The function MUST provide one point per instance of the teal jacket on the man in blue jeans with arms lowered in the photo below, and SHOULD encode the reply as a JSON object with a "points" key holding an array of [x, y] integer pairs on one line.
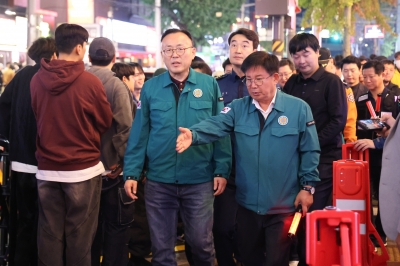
{"points": [[152, 139]]}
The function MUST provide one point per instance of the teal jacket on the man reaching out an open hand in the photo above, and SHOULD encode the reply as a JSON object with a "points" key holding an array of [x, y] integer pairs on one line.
{"points": [[272, 163]]}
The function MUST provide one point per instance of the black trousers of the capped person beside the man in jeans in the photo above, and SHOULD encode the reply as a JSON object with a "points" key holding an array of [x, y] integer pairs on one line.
{"points": [[112, 234]]}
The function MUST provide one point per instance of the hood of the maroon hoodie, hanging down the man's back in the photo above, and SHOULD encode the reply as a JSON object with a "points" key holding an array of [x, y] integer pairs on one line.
{"points": [[57, 75]]}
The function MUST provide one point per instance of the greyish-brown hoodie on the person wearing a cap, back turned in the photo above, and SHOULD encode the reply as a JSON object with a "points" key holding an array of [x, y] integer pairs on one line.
{"points": [[114, 140]]}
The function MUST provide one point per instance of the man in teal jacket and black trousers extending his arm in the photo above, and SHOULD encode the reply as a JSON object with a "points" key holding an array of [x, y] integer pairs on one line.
{"points": [[277, 154]]}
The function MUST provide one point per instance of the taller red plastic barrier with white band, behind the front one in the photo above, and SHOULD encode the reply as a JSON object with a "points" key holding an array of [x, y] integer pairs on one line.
{"points": [[351, 191]]}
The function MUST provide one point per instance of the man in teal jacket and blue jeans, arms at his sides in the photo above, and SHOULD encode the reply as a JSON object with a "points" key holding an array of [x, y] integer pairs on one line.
{"points": [[177, 182]]}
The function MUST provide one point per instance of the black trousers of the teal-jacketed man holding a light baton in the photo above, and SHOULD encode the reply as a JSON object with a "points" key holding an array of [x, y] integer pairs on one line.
{"points": [[263, 239]]}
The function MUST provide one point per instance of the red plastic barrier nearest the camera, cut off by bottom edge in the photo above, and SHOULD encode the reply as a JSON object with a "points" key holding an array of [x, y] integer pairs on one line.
{"points": [[333, 238]]}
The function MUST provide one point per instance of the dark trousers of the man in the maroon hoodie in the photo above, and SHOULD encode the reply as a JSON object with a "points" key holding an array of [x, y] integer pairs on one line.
{"points": [[68, 214]]}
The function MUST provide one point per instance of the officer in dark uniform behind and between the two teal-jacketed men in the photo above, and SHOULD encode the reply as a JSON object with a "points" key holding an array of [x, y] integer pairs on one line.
{"points": [[241, 43]]}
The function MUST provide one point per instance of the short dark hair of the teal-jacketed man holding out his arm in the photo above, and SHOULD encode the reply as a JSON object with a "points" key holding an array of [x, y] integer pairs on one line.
{"points": [[261, 59]]}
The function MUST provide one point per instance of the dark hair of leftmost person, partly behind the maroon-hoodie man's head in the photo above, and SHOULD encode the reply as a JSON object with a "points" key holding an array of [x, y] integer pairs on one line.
{"points": [[42, 48]]}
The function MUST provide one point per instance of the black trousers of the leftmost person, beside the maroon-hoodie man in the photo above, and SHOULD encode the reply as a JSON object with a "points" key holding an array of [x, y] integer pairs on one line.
{"points": [[24, 242]]}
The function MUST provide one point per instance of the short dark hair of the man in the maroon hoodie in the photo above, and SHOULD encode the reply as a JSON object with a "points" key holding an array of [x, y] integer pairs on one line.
{"points": [[68, 36]]}
